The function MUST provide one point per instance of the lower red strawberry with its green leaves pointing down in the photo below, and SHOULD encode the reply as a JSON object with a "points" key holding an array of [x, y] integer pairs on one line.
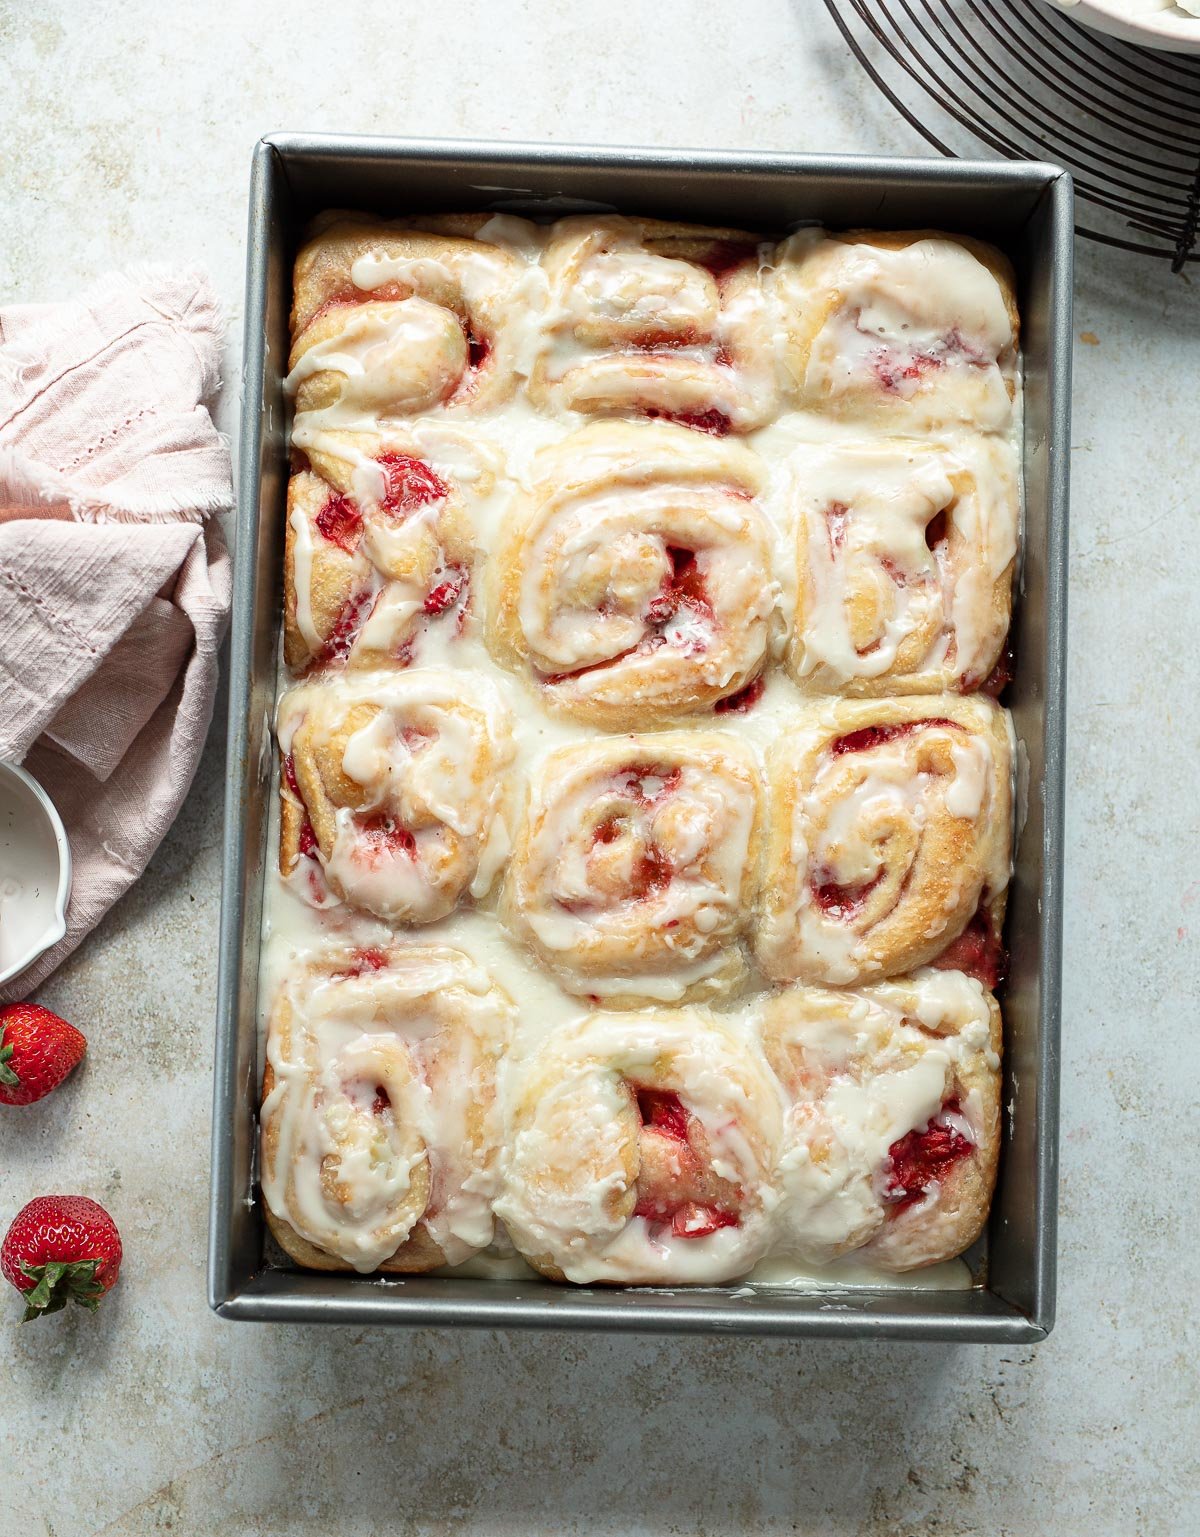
{"points": [[59, 1250]]}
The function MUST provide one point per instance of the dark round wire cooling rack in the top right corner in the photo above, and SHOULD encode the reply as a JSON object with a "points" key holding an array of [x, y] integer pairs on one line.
{"points": [[1032, 84]]}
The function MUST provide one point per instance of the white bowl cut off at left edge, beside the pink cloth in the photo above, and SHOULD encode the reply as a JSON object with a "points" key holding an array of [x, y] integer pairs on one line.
{"points": [[35, 872]]}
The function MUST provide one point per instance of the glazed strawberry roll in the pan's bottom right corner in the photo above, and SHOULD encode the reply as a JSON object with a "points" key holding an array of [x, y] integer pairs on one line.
{"points": [[892, 1141]]}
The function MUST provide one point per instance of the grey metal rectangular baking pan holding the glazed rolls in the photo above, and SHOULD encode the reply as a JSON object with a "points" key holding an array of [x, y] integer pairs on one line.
{"points": [[1026, 208]]}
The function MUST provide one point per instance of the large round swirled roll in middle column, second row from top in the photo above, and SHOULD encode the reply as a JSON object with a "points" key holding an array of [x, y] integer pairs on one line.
{"points": [[637, 582]]}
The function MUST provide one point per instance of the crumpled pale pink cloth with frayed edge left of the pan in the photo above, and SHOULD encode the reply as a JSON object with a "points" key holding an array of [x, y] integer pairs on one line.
{"points": [[114, 579]]}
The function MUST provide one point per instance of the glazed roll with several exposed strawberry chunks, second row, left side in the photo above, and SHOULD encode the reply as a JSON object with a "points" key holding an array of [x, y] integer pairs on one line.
{"points": [[379, 549]]}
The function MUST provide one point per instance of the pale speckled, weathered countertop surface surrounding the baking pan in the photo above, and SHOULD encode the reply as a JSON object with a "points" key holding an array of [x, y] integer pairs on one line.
{"points": [[127, 138]]}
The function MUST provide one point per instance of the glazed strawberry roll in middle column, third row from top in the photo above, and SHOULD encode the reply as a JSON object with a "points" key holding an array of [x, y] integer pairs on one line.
{"points": [[635, 866]]}
